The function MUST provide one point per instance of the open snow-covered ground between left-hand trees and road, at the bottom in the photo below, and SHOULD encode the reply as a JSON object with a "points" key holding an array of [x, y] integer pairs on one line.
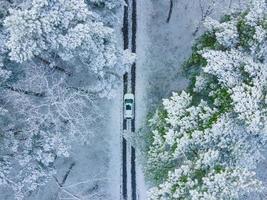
{"points": [[96, 170]]}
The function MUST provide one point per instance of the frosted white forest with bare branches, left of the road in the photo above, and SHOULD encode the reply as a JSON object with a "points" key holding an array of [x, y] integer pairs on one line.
{"points": [[59, 58]]}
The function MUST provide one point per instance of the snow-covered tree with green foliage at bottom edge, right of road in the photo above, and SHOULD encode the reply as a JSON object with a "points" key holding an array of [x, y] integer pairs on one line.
{"points": [[191, 182]]}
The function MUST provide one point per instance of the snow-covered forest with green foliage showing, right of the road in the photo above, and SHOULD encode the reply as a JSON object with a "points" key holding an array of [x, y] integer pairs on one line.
{"points": [[206, 141]]}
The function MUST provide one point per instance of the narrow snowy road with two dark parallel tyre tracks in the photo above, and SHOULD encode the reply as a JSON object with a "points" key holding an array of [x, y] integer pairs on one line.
{"points": [[128, 177]]}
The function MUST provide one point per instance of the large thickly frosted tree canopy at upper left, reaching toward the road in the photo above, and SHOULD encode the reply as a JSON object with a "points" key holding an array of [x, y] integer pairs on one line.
{"points": [[70, 31]]}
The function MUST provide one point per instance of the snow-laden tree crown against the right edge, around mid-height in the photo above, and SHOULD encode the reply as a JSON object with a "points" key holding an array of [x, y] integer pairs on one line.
{"points": [[245, 80]]}
